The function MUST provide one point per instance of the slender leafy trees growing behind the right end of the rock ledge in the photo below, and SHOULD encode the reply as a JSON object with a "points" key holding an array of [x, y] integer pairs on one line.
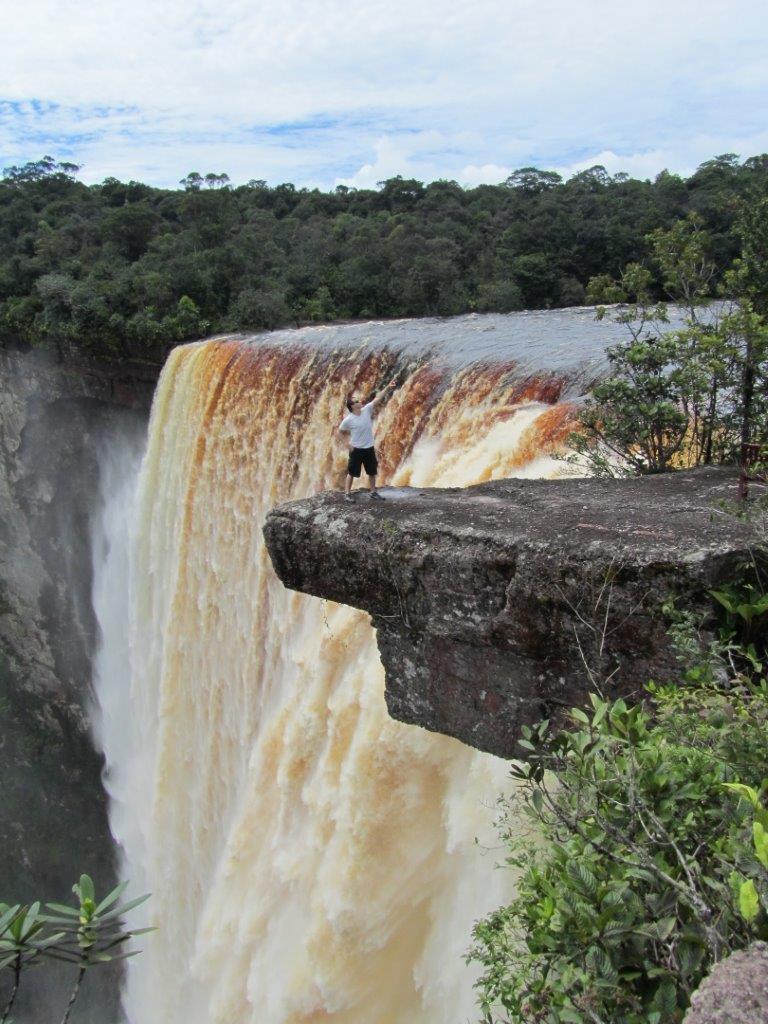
{"points": [[696, 395]]}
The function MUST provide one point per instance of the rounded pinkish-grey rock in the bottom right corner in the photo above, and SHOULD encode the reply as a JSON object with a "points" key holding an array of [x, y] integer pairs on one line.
{"points": [[736, 993]]}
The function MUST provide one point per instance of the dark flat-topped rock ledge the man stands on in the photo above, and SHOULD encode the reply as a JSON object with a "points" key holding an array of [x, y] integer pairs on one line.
{"points": [[494, 604]]}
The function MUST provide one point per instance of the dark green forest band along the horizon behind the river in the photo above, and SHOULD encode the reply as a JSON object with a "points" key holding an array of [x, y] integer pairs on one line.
{"points": [[130, 270]]}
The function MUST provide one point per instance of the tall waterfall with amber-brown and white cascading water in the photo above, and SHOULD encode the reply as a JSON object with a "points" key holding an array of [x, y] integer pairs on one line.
{"points": [[310, 859]]}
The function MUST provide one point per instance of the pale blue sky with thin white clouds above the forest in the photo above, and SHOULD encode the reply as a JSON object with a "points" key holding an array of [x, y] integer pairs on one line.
{"points": [[332, 92]]}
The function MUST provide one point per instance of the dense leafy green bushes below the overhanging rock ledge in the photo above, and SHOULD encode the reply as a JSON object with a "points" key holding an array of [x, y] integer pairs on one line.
{"points": [[641, 836]]}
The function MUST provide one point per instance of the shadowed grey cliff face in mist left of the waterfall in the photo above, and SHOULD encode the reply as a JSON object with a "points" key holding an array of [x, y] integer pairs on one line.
{"points": [[53, 806]]}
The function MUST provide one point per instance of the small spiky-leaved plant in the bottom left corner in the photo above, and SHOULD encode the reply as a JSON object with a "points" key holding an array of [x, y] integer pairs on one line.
{"points": [[87, 935]]}
